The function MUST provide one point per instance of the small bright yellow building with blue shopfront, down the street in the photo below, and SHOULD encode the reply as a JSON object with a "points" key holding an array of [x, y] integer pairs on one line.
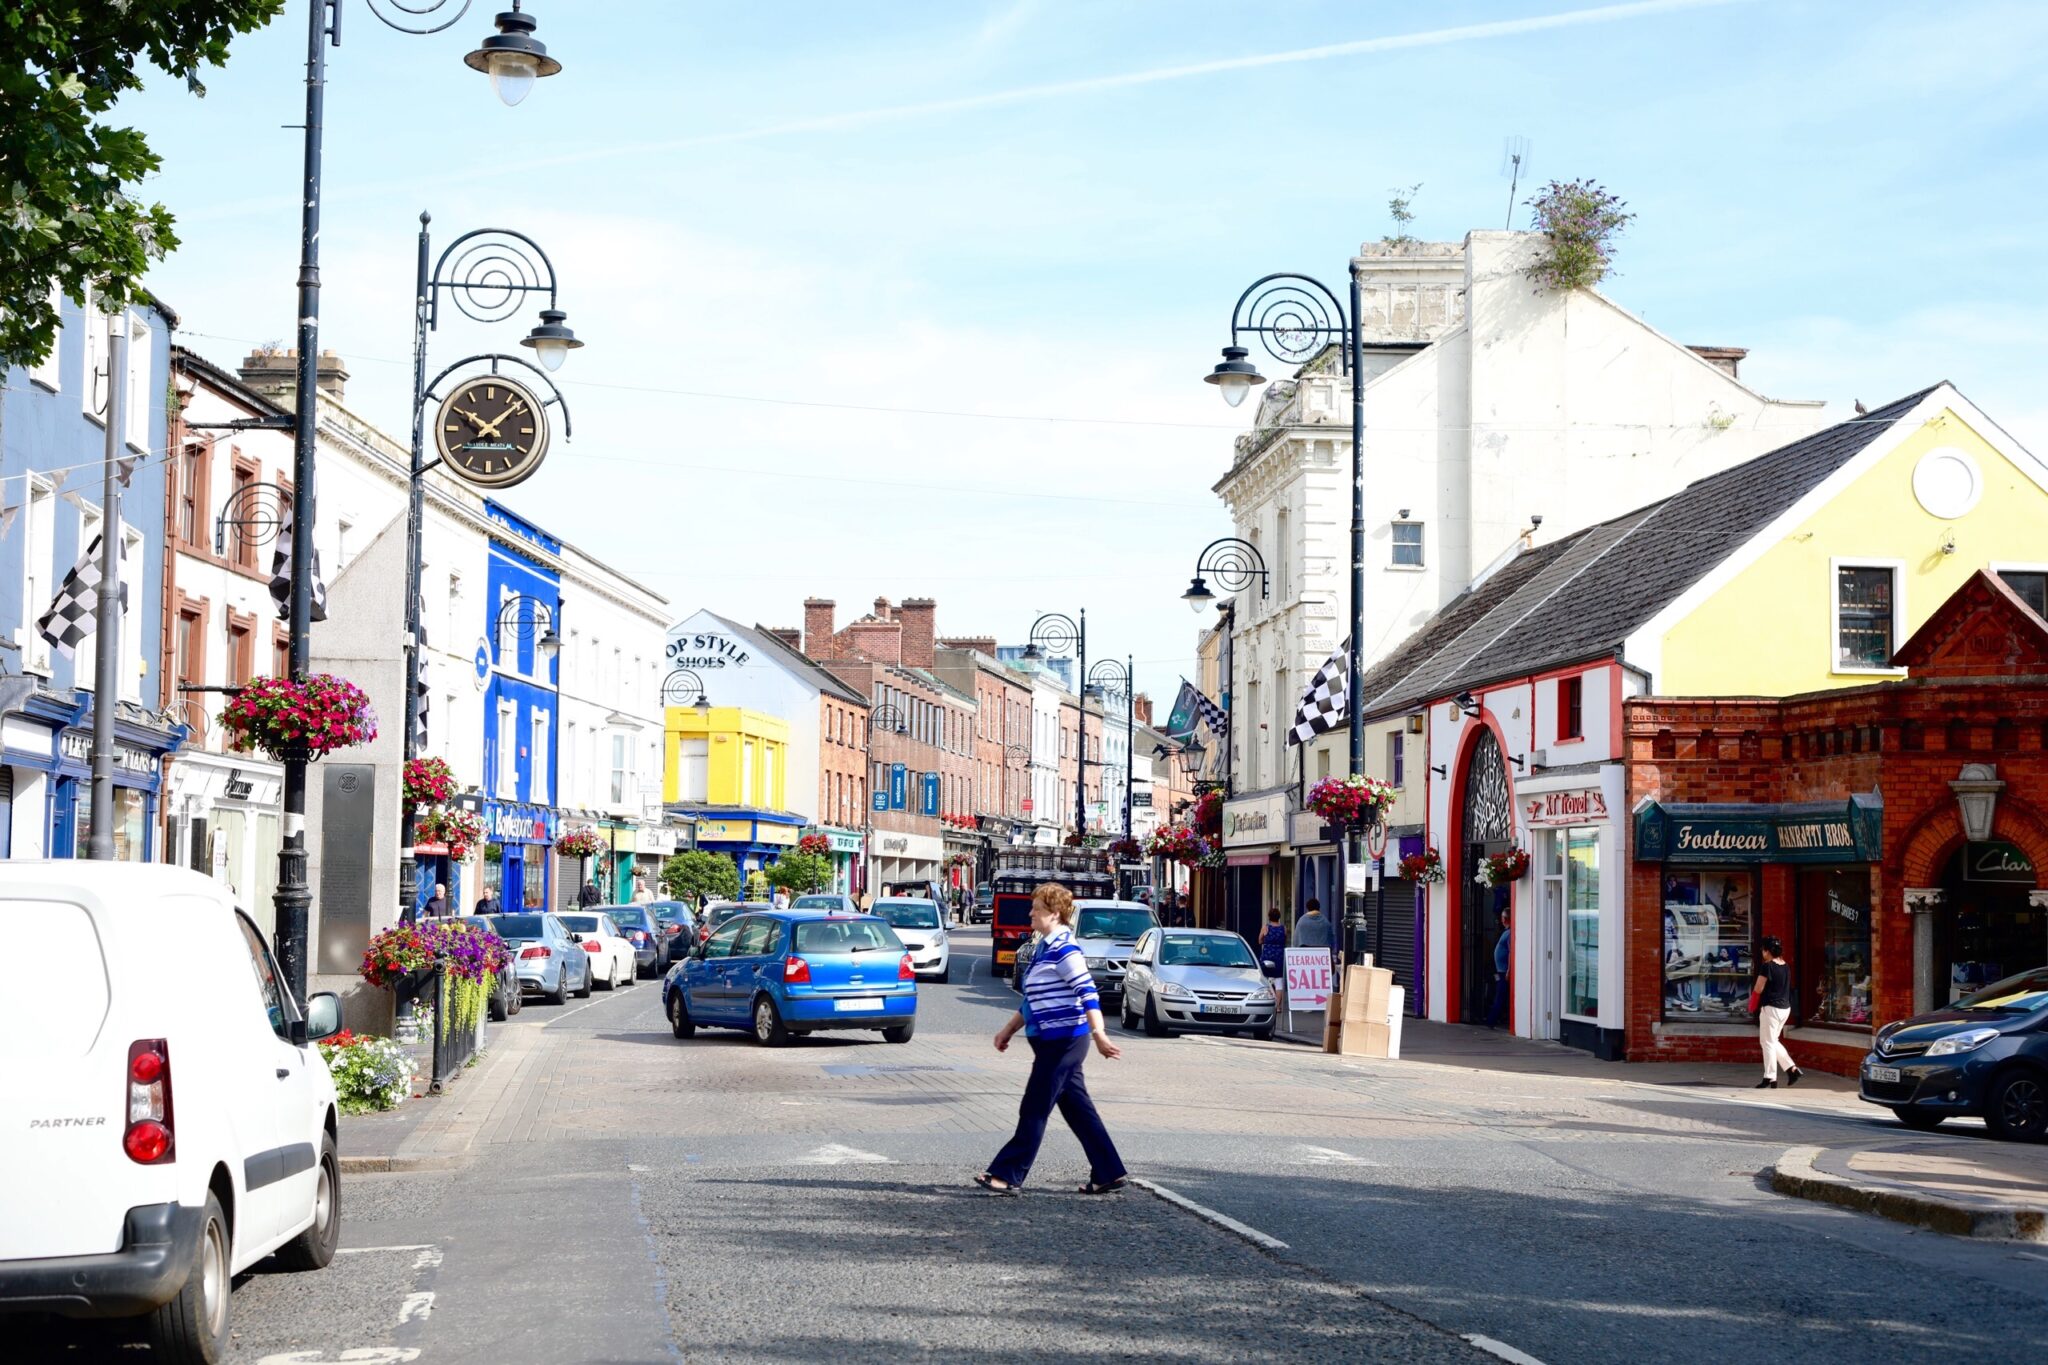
{"points": [[730, 768]]}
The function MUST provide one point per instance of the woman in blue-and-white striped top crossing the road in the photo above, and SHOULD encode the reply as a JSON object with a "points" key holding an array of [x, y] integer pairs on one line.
{"points": [[1062, 1016]]}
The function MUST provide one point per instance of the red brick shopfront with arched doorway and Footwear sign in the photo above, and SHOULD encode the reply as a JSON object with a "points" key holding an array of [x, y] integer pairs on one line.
{"points": [[1893, 838]]}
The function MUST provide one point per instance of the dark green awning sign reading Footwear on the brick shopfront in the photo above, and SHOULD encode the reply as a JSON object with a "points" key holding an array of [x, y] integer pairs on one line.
{"points": [[1805, 832]]}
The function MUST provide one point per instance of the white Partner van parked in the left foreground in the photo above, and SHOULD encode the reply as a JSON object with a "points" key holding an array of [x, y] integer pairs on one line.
{"points": [[169, 1120]]}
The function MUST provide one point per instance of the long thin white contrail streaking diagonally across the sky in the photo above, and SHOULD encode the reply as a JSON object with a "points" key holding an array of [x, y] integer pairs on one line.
{"points": [[1025, 95]]}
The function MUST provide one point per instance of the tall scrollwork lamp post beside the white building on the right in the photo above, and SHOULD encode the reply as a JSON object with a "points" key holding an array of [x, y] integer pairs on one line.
{"points": [[1295, 318]]}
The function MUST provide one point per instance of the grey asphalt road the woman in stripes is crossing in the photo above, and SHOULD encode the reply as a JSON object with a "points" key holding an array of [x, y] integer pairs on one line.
{"points": [[652, 1200]]}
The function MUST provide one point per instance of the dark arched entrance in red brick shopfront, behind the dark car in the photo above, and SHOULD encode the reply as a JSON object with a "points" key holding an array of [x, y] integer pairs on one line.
{"points": [[1988, 928]]}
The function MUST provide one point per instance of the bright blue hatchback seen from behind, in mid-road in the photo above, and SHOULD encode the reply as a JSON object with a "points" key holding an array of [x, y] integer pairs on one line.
{"points": [[785, 973]]}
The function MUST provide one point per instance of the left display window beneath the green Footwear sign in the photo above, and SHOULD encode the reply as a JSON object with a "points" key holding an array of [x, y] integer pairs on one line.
{"points": [[1709, 944]]}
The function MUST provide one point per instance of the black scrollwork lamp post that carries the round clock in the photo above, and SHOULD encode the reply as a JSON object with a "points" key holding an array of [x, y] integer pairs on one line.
{"points": [[486, 275]]}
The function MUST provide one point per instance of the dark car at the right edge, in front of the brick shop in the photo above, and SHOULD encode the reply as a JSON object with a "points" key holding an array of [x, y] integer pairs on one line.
{"points": [[1986, 1055]]}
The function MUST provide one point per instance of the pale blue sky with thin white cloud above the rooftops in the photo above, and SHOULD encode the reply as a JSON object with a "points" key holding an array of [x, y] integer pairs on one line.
{"points": [[1041, 212]]}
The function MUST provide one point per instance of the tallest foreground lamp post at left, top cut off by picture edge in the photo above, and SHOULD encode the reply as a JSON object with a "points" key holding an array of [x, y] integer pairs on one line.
{"points": [[323, 30]]}
